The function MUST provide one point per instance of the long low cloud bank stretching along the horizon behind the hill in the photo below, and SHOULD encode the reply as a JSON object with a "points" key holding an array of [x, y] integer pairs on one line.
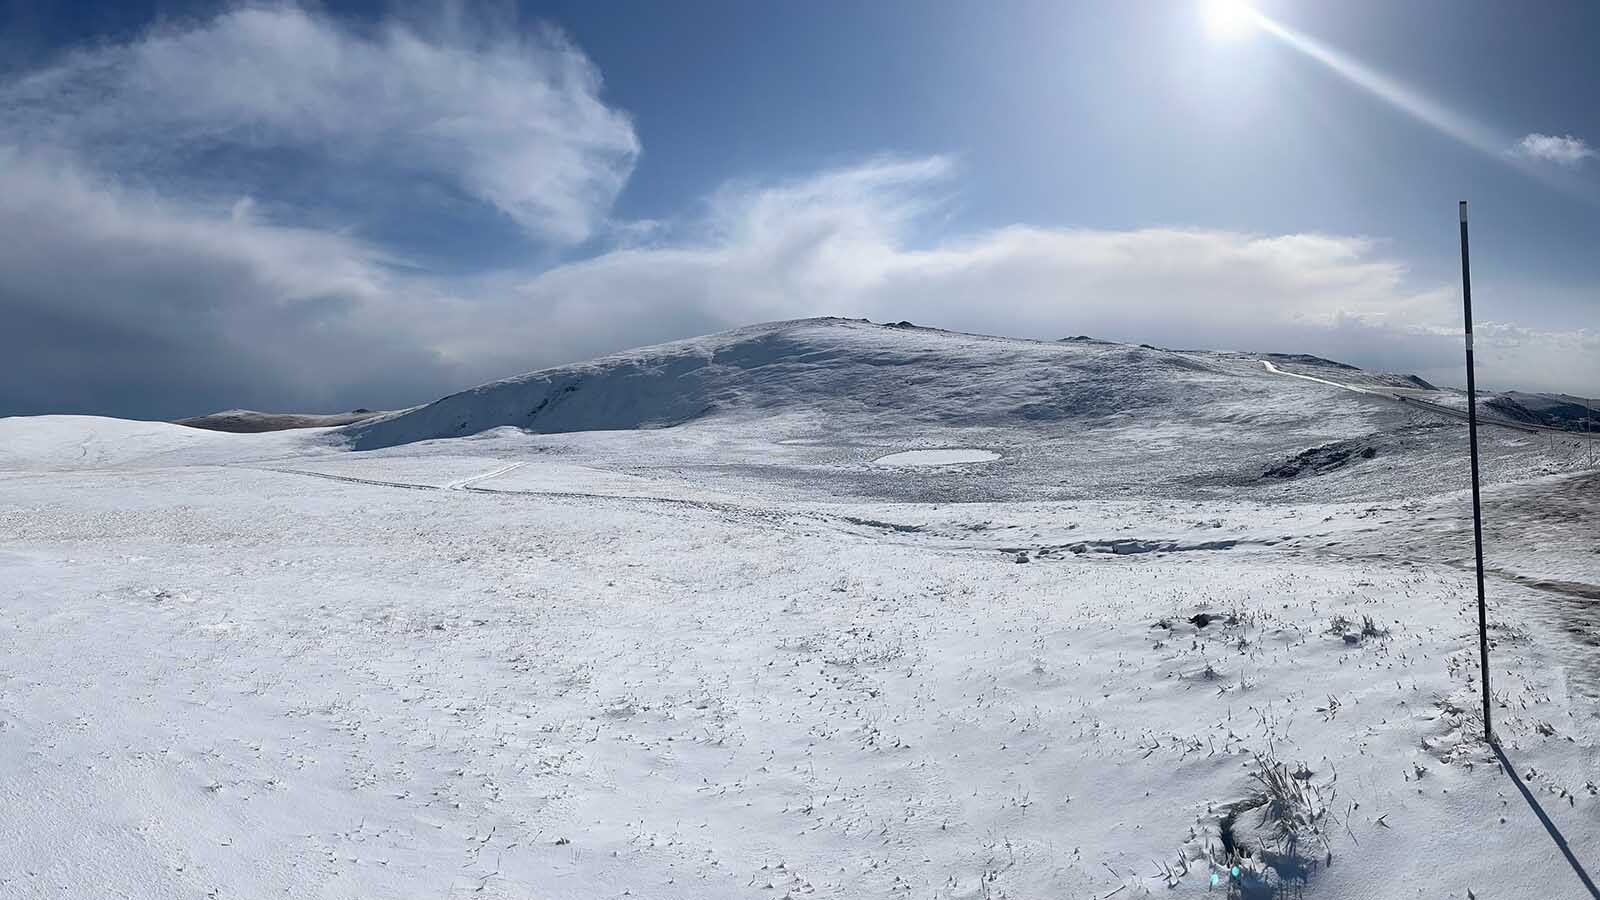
{"points": [[119, 300]]}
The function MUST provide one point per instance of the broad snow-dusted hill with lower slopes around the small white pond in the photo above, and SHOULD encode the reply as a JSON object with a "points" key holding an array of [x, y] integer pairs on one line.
{"points": [[815, 403]]}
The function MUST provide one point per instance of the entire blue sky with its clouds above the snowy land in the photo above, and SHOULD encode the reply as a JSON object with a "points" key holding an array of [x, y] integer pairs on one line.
{"points": [[322, 207]]}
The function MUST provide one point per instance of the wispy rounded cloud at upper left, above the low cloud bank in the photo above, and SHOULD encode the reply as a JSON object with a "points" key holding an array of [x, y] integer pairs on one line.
{"points": [[511, 119]]}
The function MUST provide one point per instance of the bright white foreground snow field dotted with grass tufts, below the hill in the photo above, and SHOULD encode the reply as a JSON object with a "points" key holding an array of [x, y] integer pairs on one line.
{"points": [[361, 691]]}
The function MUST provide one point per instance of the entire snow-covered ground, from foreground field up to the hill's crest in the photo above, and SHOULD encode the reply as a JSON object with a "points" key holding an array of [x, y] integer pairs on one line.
{"points": [[666, 625]]}
